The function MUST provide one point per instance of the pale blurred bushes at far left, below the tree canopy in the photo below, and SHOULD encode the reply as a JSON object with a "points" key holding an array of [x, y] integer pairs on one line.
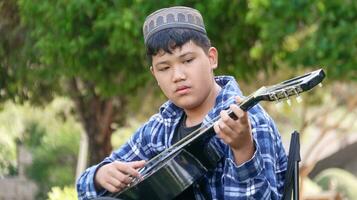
{"points": [[51, 135]]}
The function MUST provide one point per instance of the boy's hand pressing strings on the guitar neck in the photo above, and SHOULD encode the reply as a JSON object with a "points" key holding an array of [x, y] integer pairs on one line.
{"points": [[236, 133]]}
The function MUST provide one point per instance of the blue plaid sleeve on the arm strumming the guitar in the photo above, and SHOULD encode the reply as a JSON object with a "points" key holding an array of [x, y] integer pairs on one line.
{"points": [[137, 148]]}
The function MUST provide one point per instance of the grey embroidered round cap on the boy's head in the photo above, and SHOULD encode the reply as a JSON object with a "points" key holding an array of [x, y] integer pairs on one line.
{"points": [[173, 17]]}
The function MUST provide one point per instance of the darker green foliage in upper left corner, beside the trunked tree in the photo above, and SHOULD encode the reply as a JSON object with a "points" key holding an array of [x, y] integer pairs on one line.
{"points": [[20, 79]]}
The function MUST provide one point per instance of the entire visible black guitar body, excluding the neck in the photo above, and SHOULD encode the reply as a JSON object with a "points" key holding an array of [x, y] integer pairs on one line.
{"points": [[173, 173]]}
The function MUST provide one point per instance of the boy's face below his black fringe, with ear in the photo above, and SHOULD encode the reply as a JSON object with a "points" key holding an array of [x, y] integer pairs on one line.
{"points": [[186, 75]]}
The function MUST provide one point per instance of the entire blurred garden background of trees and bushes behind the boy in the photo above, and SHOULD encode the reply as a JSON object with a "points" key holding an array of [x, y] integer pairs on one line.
{"points": [[75, 84]]}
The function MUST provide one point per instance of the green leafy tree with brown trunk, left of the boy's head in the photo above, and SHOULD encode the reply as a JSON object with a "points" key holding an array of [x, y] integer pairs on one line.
{"points": [[92, 50]]}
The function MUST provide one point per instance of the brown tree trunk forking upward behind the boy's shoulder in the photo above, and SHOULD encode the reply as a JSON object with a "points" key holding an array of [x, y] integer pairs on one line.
{"points": [[96, 115]]}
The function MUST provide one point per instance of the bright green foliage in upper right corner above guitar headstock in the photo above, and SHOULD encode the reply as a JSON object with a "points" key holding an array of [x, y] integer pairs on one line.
{"points": [[307, 33]]}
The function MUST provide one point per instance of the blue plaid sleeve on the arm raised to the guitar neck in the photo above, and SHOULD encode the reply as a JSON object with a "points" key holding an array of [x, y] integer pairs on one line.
{"points": [[261, 177]]}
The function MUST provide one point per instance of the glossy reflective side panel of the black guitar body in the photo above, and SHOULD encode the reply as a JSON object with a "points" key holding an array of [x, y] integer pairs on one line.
{"points": [[168, 180]]}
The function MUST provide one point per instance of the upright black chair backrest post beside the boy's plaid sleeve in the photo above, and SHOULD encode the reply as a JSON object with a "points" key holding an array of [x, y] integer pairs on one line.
{"points": [[292, 172]]}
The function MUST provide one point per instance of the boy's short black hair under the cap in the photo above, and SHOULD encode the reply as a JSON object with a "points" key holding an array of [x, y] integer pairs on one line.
{"points": [[169, 39]]}
